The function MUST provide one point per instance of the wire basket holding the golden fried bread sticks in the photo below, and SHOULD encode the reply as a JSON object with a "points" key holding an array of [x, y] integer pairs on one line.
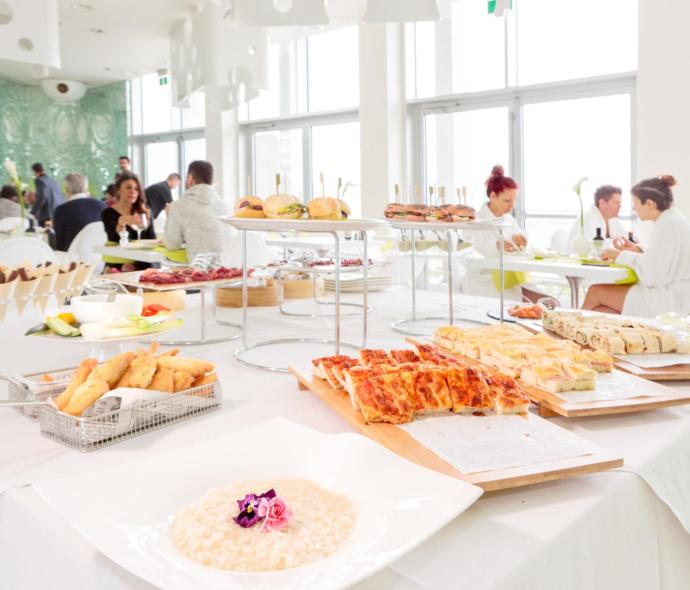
{"points": [[86, 434]]}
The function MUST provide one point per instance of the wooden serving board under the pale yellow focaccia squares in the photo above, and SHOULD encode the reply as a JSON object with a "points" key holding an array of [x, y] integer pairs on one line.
{"points": [[648, 396]]}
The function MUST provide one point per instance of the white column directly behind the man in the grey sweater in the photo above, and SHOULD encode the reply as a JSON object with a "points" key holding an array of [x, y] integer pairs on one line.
{"points": [[222, 134]]}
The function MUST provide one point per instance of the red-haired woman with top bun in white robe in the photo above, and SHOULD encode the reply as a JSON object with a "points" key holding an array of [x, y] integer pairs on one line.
{"points": [[502, 192]]}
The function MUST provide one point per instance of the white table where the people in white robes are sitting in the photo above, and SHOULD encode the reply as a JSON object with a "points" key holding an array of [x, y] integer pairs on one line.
{"points": [[573, 271]]}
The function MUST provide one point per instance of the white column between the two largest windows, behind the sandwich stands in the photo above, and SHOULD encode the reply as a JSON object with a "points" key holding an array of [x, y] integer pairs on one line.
{"points": [[382, 114]]}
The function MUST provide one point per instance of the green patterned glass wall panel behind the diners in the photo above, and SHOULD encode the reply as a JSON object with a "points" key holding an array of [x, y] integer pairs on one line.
{"points": [[87, 136]]}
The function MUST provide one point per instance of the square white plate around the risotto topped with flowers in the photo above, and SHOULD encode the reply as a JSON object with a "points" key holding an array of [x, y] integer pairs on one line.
{"points": [[126, 511]]}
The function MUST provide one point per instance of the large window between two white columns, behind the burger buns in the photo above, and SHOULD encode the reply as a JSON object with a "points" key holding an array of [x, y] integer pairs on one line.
{"points": [[306, 124]]}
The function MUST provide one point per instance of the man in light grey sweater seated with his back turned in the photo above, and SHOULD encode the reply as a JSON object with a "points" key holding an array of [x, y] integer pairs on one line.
{"points": [[193, 218]]}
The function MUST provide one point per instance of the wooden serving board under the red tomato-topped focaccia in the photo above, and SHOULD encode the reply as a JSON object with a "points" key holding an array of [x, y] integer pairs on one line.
{"points": [[402, 443]]}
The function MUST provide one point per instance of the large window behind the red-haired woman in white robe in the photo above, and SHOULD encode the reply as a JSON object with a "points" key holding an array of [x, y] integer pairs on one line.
{"points": [[545, 91]]}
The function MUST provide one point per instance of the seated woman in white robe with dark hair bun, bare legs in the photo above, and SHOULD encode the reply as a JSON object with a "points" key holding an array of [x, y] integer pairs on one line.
{"points": [[663, 268]]}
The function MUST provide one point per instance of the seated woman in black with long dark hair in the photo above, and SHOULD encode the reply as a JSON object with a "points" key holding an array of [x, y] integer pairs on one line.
{"points": [[128, 212]]}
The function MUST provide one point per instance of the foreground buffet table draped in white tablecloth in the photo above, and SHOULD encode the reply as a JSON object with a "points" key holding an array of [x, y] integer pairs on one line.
{"points": [[606, 530]]}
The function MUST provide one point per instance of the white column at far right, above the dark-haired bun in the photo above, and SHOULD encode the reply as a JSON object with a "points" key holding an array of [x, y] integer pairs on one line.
{"points": [[663, 94]]}
